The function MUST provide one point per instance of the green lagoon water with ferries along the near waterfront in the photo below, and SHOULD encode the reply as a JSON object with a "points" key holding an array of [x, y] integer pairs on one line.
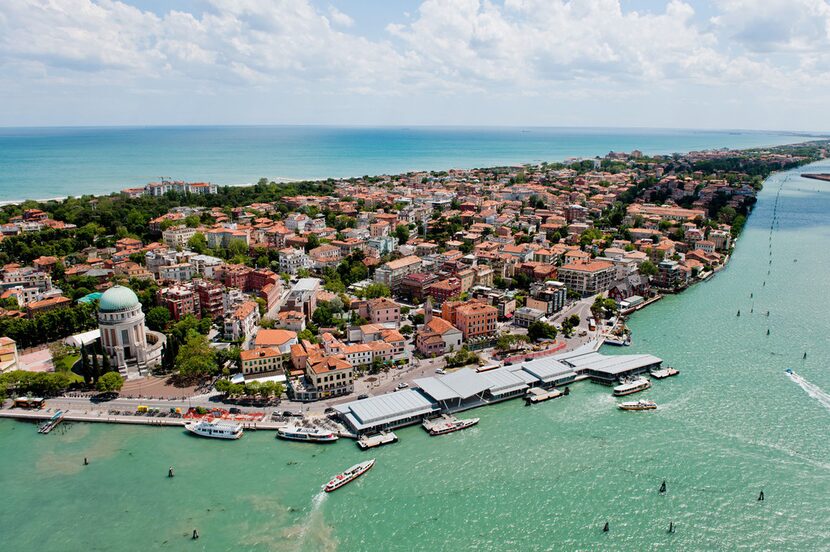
{"points": [[546, 477]]}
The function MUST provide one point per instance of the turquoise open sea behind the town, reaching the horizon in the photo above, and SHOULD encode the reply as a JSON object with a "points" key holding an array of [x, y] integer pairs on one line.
{"points": [[55, 162]]}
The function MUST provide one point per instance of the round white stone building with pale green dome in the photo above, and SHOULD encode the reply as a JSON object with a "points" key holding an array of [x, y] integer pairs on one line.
{"points": [[131, 347]]}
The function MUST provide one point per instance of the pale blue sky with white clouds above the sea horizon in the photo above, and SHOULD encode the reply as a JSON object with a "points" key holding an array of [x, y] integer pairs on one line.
{"points": [[715, 64]]}
